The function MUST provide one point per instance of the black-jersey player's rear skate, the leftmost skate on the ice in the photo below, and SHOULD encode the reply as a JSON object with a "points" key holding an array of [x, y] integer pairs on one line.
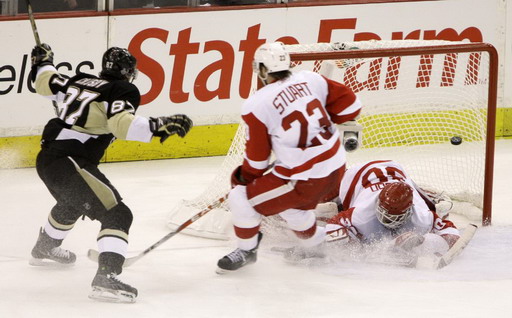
{"points": [[47, 252]]}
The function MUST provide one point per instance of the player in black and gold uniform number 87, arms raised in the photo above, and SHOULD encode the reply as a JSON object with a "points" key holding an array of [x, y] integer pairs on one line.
{"points": [[91, 112]]}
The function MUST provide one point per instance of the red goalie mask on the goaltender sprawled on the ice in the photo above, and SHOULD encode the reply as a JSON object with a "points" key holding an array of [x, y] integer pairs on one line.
{"points": [[394, 205]]}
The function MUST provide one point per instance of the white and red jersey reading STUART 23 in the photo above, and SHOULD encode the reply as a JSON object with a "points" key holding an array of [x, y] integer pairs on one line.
{"points": [[295, 119]]}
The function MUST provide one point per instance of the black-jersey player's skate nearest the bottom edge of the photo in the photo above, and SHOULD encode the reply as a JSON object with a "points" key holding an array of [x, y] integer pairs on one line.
{"points": [[106, 287]]}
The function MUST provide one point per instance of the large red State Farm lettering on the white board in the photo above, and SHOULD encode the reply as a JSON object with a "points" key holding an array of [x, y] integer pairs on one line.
{"points": [[215, 79]]}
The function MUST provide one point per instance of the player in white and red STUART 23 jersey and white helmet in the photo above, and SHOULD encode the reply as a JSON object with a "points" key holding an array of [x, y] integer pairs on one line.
{"points": [[293, 116]]}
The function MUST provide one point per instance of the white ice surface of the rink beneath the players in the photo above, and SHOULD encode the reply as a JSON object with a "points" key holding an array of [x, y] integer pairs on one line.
{"points": [[178, 279]]}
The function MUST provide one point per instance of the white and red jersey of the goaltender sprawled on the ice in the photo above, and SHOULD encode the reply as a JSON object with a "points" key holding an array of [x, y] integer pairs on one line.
{"points": [[359, 191]]}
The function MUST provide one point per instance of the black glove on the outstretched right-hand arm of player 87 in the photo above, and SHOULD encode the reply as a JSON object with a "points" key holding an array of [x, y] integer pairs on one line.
{"points": [[166, 126]]}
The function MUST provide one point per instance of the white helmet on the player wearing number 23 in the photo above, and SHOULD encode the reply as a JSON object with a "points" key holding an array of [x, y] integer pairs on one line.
{"points": [[273, 56]]}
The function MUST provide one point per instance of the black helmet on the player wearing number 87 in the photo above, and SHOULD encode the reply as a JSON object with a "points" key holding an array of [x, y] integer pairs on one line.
{"points": [[119, 64]]}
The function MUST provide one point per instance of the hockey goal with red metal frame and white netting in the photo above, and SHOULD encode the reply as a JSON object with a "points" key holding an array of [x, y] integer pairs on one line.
{"points": [[417, 96]]}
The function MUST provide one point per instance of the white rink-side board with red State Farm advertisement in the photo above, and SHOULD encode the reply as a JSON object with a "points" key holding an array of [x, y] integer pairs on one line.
{"points": [[199, 63]]}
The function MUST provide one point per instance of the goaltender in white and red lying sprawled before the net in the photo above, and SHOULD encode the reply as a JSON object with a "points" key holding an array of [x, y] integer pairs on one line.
{"points": [[380, 201]]}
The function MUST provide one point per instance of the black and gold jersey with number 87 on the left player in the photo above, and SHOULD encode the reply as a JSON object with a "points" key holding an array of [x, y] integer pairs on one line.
{"points": [[90, 113]]}
